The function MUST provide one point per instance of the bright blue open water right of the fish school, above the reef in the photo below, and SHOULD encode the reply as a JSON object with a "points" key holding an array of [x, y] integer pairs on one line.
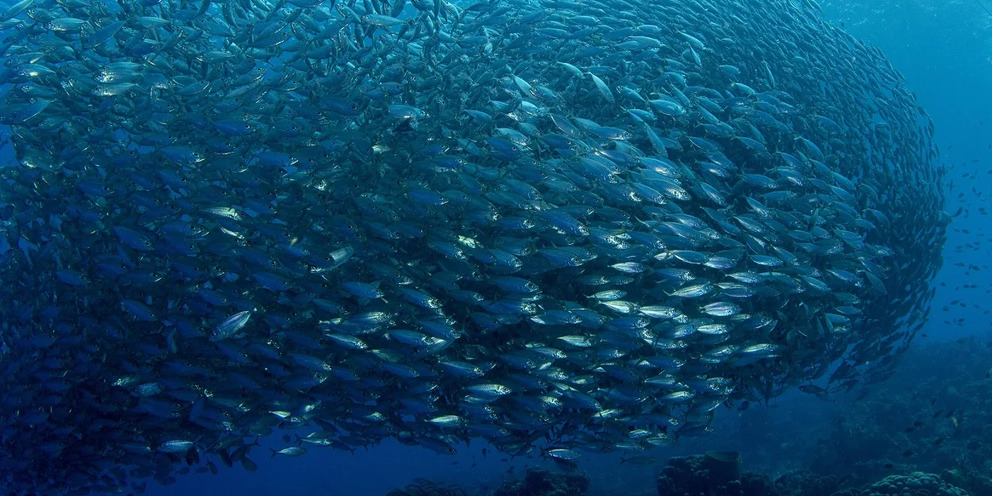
{"points": [[944, 49]]}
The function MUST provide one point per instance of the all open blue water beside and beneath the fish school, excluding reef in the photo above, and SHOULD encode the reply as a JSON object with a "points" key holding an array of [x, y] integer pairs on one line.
{"points": [[944, 49]]}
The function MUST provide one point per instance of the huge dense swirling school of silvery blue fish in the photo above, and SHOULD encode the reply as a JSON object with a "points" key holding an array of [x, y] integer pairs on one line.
{"points": [[558, 225]]}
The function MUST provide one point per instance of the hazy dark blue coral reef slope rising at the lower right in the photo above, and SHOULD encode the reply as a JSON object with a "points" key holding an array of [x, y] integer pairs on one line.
{"points": [[889, 430]]}
